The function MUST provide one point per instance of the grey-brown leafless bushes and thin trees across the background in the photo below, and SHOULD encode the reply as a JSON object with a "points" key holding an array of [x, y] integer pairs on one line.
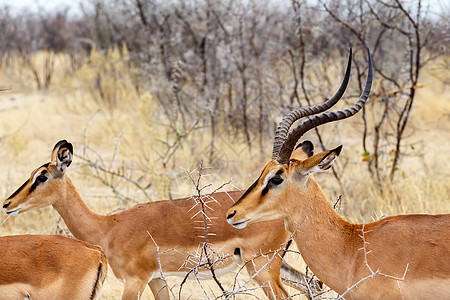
{"points": [[236, 65]]}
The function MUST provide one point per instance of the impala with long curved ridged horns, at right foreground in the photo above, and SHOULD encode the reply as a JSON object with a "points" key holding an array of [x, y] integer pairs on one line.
{"points": [[398, 257]]}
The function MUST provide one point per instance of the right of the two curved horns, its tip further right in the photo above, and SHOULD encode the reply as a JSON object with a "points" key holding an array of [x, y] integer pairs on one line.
{"points": [[302, 128]]}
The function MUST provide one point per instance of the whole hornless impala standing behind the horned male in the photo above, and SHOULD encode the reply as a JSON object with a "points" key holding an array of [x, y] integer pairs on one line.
{"points": [[163, 233]]}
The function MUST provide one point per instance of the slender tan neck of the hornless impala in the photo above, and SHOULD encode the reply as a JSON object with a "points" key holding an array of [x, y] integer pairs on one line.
{"points": [[82, 222]]}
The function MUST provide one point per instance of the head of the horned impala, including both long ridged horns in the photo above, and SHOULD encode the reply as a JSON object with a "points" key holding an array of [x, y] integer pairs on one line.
{"points": [[288, 176]]}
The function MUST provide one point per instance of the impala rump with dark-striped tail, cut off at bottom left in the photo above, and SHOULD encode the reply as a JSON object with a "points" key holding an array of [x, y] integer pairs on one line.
{"points": [[46, 267]]}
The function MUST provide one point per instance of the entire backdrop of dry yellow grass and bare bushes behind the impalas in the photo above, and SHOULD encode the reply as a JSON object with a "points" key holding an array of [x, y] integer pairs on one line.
{"points": [[148, 90]]}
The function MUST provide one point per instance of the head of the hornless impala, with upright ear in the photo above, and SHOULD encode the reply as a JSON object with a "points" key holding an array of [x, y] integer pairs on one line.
{"points": [[43, 187]]}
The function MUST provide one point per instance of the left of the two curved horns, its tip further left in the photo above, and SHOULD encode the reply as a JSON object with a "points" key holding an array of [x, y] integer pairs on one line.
{"points": [[291, 117]]}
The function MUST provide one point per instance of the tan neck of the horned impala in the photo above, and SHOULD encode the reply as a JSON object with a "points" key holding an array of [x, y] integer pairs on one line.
{"points": [[322, 236]]}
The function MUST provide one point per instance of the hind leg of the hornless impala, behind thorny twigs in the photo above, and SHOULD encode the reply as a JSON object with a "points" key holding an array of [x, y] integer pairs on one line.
{"points": [[268, 276]]}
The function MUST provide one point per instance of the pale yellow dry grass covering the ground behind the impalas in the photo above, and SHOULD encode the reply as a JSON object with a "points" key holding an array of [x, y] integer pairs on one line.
{"points": [[32, 122]]}
